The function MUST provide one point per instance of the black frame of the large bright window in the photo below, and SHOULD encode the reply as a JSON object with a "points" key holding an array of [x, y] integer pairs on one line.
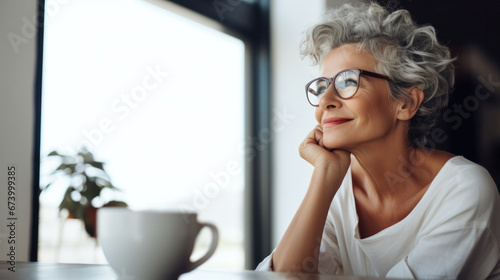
{"points": [[249, 19]]}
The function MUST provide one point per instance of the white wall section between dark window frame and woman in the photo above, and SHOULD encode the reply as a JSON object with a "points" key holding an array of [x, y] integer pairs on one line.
{"points": [[289, 74]]}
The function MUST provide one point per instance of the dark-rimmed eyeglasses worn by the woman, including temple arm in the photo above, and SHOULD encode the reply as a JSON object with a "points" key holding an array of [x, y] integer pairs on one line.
{"points": [[345, 85]]}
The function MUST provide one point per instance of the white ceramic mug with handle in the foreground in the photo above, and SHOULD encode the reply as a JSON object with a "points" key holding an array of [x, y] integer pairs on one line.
{"points": [[150, 244]]}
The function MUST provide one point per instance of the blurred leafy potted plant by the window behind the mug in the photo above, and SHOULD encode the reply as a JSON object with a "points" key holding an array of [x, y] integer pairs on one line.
{"points": [[85, 179]]}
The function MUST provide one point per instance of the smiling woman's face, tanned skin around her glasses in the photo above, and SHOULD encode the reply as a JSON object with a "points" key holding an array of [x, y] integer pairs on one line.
{"points": [[367, 117]]}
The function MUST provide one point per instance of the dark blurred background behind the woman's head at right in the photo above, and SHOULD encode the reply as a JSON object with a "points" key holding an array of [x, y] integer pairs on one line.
{"points": [[471, 123]]}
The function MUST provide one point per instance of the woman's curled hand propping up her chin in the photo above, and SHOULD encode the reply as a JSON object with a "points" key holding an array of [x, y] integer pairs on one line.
{"points": [[314, 151]]}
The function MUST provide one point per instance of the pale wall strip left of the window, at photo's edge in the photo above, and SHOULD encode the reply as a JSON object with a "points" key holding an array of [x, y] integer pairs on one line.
{"points": [[17, 76]]}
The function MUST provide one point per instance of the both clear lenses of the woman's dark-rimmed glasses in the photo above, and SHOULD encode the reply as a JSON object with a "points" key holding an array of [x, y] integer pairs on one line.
{"points": [[345, 83]]}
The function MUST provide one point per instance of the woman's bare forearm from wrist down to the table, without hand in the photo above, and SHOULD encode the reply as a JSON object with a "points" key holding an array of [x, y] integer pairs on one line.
{"points": [[302, 239]]}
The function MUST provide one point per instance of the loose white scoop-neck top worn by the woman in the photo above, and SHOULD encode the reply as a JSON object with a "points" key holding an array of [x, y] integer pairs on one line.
{"points": [[452, 233]]}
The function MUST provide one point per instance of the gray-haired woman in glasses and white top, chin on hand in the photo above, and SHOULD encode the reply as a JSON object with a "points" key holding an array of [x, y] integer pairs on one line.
{"points": [[379, 203]]}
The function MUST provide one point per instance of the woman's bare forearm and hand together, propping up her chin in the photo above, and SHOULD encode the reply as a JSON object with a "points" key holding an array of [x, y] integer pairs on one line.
{"points": [[303, 236]]}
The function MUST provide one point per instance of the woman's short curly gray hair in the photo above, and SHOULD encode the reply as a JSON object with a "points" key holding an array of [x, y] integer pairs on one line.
{"points": [[409, 54]]}
